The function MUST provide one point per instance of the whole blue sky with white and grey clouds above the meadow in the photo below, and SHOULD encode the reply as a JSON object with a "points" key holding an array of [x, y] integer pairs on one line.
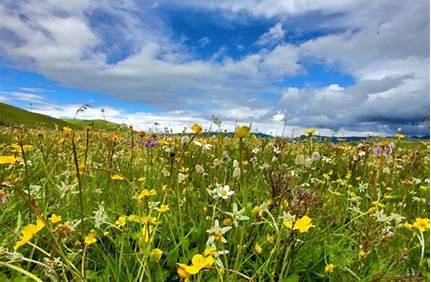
{"points": [[350, 67]]}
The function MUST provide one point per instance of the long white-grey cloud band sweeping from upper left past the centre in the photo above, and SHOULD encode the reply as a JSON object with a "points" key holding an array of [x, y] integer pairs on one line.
{"points": [[65, 47]]}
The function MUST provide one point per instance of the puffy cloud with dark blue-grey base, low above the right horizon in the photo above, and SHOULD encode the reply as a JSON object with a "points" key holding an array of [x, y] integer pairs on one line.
{"points": [[385, 104]]}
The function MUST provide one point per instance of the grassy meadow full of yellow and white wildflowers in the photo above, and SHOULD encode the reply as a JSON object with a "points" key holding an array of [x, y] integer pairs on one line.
{"points": [[95, 205]]}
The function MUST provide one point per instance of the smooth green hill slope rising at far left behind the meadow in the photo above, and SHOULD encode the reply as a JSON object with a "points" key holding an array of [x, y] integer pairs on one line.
{"points": [[10, 115]]}
